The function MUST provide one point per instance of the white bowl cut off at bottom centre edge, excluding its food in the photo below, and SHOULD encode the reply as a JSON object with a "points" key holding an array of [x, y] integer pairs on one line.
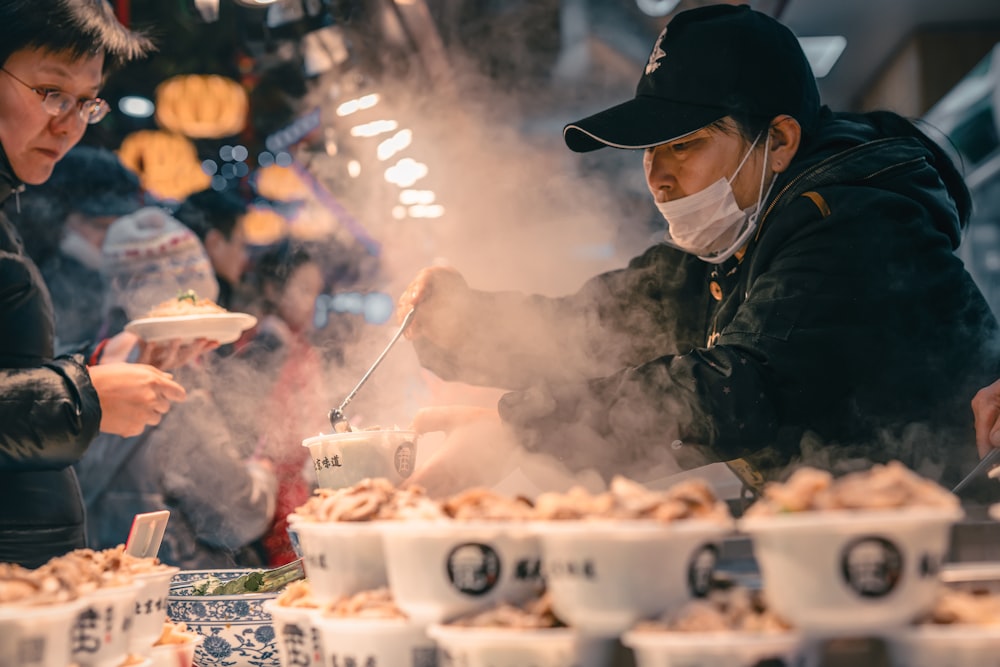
{"points": [[505, 647]]}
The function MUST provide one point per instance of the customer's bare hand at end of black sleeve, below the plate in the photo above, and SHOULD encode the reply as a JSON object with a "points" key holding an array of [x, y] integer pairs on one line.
{"points": [[133, 396]]}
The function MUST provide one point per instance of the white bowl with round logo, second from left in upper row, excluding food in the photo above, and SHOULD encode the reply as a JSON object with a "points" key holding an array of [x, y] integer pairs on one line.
{"points": [[442, 569]]}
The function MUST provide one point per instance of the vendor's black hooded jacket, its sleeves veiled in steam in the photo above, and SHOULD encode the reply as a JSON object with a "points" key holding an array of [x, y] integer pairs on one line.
{"points": [[848, 332]]}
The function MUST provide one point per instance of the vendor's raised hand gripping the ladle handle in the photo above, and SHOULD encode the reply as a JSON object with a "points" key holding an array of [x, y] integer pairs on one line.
{"points": [[436, 290]]}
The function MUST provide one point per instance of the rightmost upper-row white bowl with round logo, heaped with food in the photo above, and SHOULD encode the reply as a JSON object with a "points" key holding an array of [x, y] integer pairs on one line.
{"points": [[859, 553]]}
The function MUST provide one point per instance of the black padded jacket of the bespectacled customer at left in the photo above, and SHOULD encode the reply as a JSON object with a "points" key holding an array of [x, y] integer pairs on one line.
{"points": [[49, 412]]}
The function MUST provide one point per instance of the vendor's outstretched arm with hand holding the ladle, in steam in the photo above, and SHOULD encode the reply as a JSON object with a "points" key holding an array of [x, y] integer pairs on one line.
{"points": [[512, 340]]}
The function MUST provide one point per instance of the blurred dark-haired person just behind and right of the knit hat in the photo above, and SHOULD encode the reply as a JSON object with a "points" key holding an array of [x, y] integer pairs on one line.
{"points": [[216, 216]]}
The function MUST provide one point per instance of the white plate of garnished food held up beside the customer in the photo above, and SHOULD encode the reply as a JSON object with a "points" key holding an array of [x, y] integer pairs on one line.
{"points": [[188, 317]]}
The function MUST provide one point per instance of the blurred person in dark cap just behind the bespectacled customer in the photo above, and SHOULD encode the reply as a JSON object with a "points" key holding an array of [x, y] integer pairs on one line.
{"points": [[95, 189]]}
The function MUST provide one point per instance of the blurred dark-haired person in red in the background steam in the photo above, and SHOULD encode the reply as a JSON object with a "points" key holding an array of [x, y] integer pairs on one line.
{"points": [[281, 355]]}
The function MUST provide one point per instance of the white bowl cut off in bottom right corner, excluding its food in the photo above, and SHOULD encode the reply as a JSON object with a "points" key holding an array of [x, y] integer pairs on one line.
{"points": [[945, 646]]}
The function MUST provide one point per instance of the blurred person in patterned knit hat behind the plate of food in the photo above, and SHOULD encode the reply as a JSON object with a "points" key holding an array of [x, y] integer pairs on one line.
{"points": [[220, 501]]}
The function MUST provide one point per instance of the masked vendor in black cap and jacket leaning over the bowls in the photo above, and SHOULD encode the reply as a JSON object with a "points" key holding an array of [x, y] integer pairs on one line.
{"points": [[806, 304]]}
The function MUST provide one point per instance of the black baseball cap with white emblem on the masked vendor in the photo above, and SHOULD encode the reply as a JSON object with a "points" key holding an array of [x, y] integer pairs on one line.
{"points": [[707, 63]]}
